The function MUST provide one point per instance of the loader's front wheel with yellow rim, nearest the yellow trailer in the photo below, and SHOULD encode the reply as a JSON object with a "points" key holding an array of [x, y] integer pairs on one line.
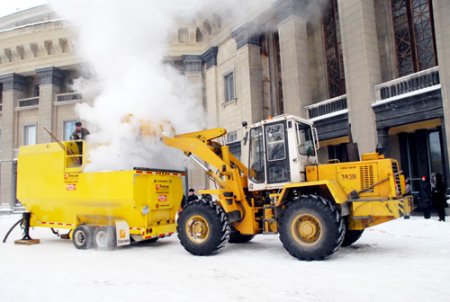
{"points": [[203, 228]]}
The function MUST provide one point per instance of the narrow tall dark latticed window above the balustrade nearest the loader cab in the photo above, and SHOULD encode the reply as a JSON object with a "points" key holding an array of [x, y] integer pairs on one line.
{"points": [[333, 50]]}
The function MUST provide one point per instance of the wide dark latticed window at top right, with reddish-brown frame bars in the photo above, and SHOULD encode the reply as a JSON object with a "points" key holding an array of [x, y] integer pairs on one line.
{"points": [[414, 36]]}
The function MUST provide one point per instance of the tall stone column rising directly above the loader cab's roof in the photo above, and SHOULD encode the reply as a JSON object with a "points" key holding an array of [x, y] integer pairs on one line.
{"points": [[294, 55]]}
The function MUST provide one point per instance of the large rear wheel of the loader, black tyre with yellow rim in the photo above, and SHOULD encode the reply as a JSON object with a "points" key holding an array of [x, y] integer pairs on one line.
{"points": [[311, 228]]}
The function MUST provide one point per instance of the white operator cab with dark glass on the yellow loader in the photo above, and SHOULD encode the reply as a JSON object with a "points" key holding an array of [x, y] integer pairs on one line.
{"points": [[279, 150]]}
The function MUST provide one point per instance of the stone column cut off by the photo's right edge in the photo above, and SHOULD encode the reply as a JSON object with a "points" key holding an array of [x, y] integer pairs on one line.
{"points": [[441, 11]]}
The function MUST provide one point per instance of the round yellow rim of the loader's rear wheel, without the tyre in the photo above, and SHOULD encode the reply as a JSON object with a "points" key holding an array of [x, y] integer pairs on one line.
{"points": [[306, 229]]}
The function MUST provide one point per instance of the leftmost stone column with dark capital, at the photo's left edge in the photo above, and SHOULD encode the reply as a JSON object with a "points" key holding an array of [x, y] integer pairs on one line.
{"points": [[13, 89]]}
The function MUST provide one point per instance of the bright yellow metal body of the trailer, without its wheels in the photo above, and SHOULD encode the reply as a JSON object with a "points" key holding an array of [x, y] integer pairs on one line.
{"points": [[66, 197]]}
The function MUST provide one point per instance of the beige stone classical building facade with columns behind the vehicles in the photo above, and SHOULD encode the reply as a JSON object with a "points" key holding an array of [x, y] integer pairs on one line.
{"points": [[375, 72]]}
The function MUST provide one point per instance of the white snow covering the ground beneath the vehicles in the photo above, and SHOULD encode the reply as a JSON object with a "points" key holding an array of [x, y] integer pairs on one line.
{"points": [[403, 260]]}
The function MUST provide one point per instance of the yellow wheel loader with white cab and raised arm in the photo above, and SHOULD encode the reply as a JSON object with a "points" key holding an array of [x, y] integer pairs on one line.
{"points": [[315, 208]]}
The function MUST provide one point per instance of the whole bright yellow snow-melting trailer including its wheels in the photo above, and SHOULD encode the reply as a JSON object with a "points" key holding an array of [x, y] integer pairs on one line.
{"points": [[100, 209]]}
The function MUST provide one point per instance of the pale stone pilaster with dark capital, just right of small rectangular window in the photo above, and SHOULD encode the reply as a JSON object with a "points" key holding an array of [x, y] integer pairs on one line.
{"points": [[249, 73]]}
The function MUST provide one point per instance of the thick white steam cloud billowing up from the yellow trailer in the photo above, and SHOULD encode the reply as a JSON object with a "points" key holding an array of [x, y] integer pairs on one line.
{"points": [[124, 44]]}
